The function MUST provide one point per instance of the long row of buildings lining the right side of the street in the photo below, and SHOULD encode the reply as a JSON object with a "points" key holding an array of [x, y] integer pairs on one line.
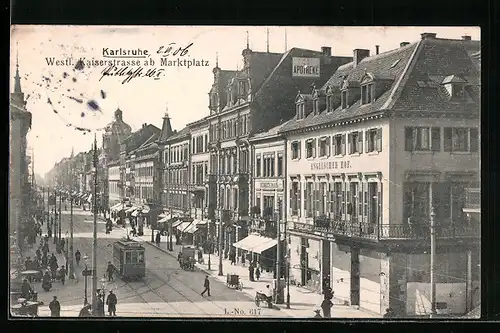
{"points": [[355, 155]]}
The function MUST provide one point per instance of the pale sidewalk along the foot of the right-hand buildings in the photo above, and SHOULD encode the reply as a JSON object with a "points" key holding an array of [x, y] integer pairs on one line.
{"points": [[302, 301]]}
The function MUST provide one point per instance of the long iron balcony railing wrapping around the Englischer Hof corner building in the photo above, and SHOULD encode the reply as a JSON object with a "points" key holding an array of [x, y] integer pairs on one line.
{"points": [[372, 231]]}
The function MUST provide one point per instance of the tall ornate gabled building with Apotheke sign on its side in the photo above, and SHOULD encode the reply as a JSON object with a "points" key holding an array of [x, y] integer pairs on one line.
{"points": [[244, 102]]}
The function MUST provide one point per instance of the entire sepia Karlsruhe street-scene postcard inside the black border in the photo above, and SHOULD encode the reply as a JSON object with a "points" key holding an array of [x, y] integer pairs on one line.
{"points": [[245, 172]]}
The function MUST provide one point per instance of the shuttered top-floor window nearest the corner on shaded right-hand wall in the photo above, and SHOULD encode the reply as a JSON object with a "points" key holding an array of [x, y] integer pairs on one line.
{"points": [[422, 138]]}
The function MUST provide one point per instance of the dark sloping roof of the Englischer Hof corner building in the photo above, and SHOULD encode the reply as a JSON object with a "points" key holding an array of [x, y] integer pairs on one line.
{"points": [[410, 73]]}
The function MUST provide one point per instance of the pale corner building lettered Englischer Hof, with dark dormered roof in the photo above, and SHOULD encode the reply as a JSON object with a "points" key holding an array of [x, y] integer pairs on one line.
{"points": [[388, 141]]}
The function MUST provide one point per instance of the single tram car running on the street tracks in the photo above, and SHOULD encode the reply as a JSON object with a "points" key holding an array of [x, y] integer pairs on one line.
{"points": [[129, 259]]}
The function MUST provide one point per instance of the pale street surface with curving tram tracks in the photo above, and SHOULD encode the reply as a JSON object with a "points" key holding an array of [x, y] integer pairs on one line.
{"points": [[167, 290]]}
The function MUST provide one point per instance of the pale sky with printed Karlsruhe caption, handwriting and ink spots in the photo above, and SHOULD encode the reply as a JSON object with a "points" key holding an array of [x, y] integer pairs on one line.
{"points": [[70, 103]]}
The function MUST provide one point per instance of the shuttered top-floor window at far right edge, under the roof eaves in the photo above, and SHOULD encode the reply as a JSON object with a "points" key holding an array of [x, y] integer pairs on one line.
{"points": [[461, 139]]}
